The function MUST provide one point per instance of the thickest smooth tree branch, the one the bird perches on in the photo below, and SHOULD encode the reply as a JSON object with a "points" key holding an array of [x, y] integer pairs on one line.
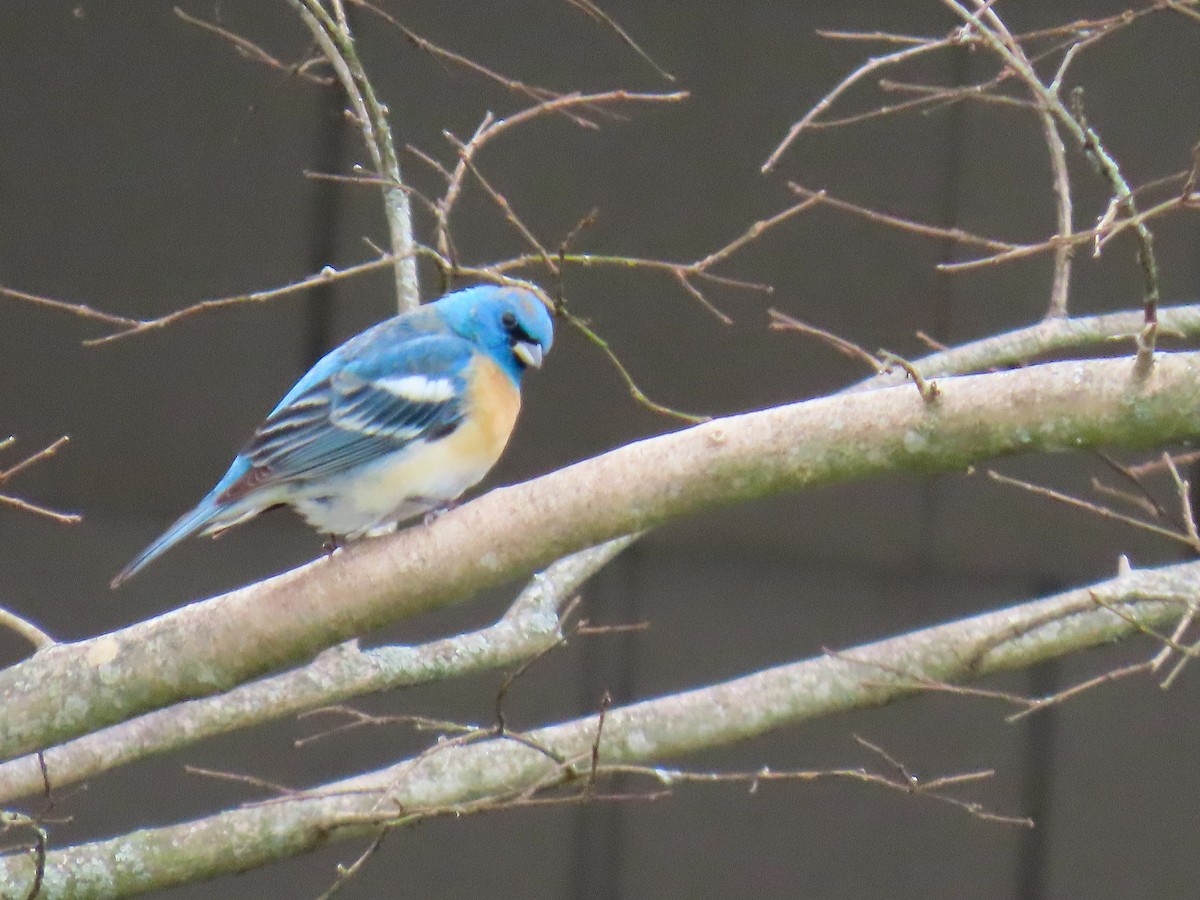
{"points": [[212, 646]]}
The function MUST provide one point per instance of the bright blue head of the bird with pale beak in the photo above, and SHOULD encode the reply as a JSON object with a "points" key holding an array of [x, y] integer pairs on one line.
{"points": [[512, 325]]}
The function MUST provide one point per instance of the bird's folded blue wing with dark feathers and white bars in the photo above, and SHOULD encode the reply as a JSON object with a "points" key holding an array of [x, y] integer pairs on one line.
{"points": [[359, 411]]}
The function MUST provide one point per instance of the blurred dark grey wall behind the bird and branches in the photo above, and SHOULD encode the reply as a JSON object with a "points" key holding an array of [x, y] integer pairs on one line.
{"points": [[145, 166]]}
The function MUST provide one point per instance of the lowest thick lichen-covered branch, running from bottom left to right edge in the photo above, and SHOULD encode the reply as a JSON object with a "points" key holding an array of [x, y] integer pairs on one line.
{"points": [[458, 778]]}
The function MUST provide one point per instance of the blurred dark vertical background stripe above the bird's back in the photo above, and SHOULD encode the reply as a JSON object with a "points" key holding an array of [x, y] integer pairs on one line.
{"points": [[323, 232]]}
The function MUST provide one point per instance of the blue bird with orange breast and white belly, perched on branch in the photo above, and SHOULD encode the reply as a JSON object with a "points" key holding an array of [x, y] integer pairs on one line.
{"points": [[398, 422]]}
